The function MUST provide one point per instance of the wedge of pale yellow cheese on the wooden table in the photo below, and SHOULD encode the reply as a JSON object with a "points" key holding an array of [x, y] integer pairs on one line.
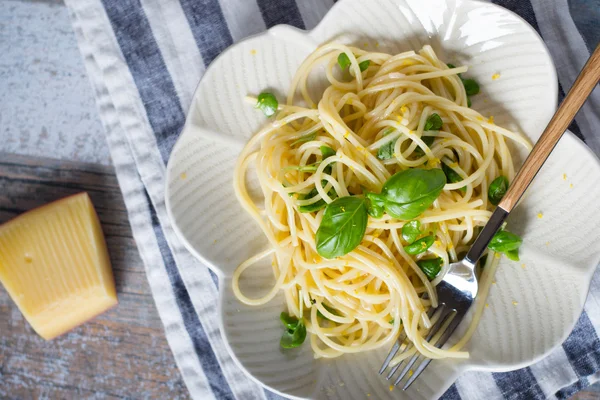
{"points": [[55, 266]]}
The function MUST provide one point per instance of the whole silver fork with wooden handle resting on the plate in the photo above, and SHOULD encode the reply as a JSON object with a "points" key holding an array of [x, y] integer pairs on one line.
{"points": [[456, 292]]}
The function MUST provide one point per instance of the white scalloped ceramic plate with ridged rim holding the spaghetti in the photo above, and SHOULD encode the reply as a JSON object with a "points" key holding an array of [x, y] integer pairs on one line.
{"points": [[560, 250]]}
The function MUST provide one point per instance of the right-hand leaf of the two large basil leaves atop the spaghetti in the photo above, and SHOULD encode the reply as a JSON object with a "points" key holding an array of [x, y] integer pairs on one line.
{"points": [[408, 193]]}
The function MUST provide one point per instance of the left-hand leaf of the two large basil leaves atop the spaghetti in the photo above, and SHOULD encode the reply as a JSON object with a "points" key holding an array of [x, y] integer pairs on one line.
{"points": [[342, 227]]}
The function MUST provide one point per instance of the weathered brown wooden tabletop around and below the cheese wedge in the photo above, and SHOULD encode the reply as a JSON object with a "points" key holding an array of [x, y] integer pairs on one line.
{"points": [[120, 354]]}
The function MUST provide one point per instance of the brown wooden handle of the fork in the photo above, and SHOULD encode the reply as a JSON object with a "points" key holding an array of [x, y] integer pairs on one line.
{"points": [[583, 86]]}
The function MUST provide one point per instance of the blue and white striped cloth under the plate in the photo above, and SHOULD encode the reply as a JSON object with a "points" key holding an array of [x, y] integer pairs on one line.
{"points": [[145, 57]]}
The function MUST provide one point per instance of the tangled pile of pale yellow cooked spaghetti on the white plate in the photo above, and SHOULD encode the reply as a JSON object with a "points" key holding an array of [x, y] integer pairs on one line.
{"points": [[365, 298]]}
